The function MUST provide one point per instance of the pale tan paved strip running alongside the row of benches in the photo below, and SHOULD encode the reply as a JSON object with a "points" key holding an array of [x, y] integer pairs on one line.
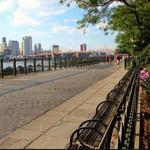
{"points": [[53, 128]]}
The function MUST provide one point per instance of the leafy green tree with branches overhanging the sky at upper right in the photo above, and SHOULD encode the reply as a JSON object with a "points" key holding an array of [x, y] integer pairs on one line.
{"points": [[130, 18]]}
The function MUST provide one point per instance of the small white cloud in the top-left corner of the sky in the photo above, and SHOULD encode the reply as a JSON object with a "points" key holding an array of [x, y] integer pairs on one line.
{"points": [[6, 5]]}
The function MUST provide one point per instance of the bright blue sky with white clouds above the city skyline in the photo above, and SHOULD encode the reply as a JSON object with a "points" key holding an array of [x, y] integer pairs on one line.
{"points": [[49, 23]]}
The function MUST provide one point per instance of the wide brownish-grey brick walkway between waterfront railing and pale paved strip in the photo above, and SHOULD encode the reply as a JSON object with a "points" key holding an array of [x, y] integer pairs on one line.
{"points": [[25, 98]]}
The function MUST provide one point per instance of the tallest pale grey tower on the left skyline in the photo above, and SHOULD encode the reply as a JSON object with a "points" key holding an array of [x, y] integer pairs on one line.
{"points": [[27, 45]]}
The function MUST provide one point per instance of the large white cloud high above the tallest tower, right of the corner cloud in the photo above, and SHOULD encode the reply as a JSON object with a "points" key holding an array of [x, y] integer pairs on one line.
{"points": [[35, 12]]}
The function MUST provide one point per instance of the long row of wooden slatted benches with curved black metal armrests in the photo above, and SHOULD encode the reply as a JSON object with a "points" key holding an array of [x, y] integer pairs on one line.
{"points": [[114, 117]]}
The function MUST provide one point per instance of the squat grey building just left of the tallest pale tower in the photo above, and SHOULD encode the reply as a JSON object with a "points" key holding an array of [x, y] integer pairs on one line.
{"points": [[14, 47]]}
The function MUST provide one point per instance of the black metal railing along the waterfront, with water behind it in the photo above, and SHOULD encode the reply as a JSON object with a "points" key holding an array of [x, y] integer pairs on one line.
{"points": [[25, 66]]}
